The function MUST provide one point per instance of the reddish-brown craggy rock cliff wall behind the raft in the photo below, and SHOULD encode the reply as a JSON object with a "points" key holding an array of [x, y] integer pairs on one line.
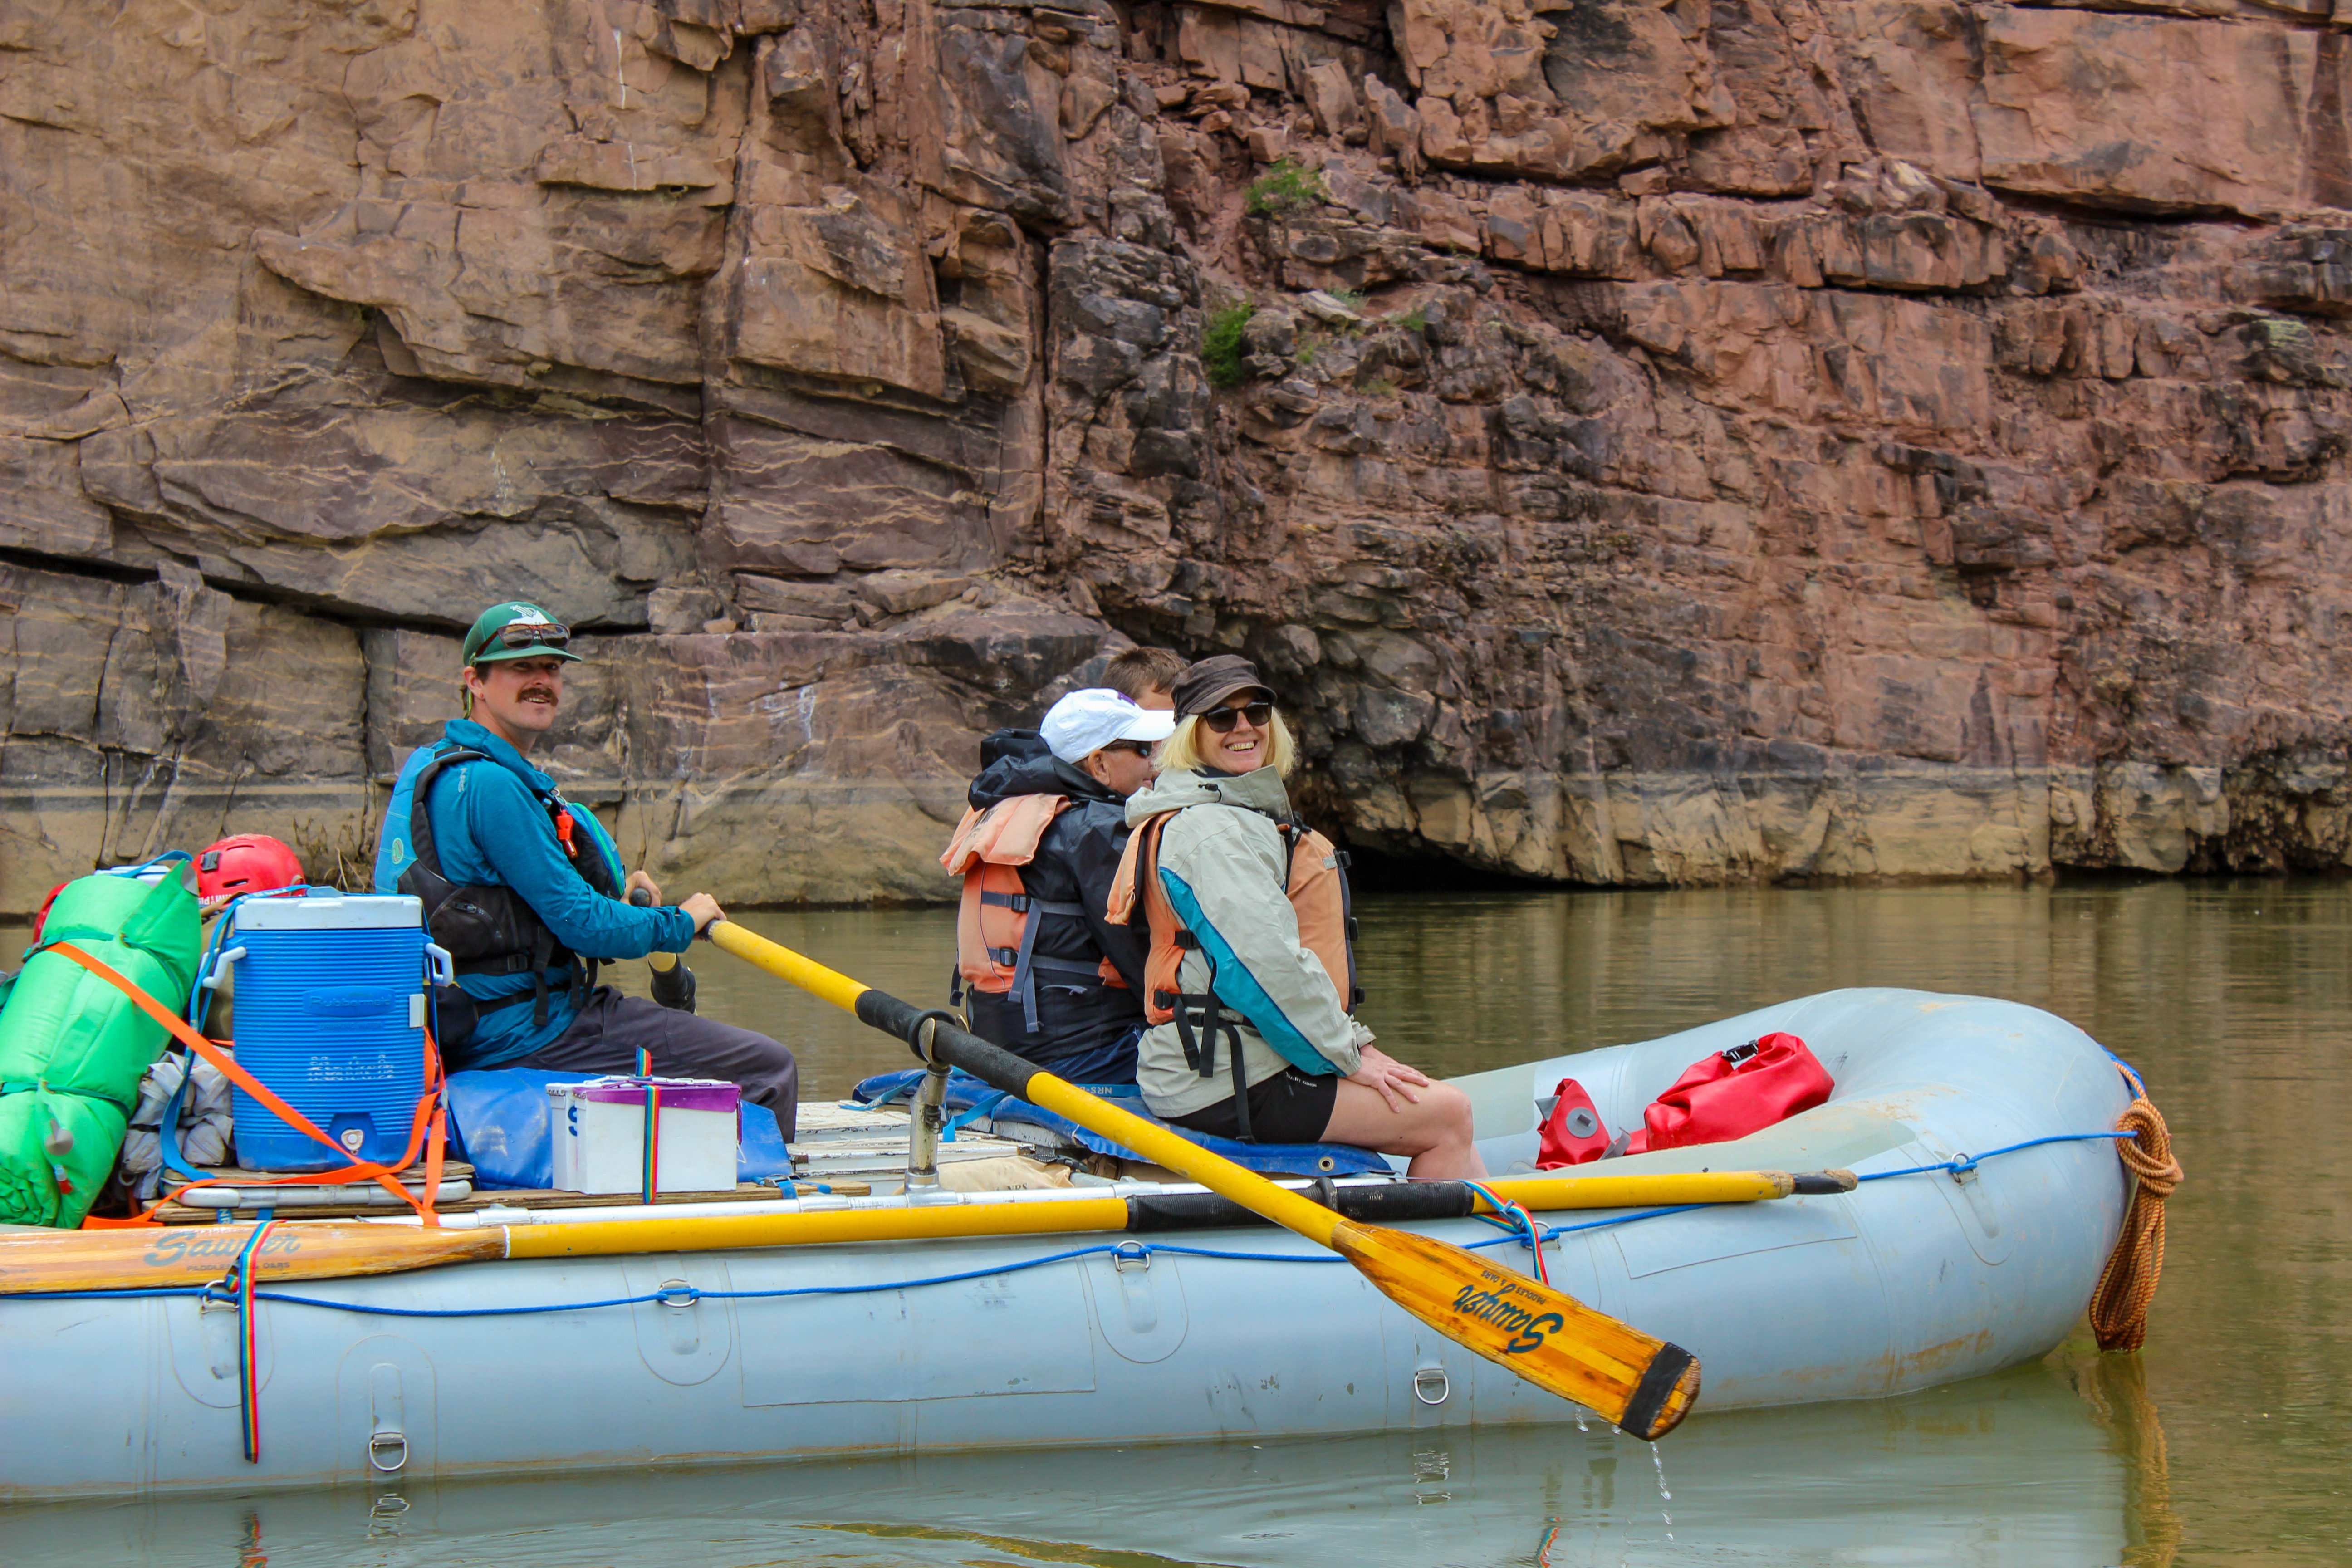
{"points": [[1650, 443]]}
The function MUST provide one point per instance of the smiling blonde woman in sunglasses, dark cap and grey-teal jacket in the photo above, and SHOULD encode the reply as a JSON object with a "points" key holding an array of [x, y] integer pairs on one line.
{"points": [[1250, 977]]}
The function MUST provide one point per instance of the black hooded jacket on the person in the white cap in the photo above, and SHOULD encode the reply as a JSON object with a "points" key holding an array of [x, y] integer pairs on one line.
{"points": [[1076, 864]]}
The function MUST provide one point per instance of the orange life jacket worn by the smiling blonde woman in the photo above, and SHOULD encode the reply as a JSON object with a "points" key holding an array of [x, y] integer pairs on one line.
{"points": [[1321, 899]]}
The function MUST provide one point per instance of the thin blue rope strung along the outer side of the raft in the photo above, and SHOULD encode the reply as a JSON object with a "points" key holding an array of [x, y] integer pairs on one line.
{"points": [[1123, 1249]]}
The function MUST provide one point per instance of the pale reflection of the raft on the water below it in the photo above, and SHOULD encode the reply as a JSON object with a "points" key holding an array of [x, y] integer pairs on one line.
{"points": [[2005, 1470]]}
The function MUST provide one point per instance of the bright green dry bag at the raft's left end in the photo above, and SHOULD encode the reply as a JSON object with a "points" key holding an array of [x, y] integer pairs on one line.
{"points": [[74, 1047]]}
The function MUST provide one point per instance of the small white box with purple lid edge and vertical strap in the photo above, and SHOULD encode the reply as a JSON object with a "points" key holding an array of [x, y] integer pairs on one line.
{"points": [[599, 1134]]}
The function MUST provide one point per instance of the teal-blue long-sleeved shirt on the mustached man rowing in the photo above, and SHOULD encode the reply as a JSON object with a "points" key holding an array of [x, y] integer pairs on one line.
{"points": [[493, 829]]}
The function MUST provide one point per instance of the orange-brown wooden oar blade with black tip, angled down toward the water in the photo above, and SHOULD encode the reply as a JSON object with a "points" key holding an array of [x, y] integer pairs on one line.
{"points": [[1546, 1336]]}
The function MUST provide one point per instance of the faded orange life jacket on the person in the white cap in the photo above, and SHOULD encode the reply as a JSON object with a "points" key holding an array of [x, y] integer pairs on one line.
{"points": [[996, 927]]}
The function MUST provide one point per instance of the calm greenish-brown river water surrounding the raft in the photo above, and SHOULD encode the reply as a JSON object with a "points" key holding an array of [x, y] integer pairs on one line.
{"points": [[2224, 1442]]}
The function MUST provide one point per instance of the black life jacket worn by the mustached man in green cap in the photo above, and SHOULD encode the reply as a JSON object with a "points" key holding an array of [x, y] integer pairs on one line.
{"points": [[490, 930]]}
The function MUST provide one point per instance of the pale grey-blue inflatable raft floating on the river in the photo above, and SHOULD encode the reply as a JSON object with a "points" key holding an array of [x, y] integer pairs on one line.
{"points": [[1989, 1200]]}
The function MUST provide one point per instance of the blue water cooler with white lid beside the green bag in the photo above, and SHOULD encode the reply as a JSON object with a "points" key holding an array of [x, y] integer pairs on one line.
{"points": [[330, 1014]]}
